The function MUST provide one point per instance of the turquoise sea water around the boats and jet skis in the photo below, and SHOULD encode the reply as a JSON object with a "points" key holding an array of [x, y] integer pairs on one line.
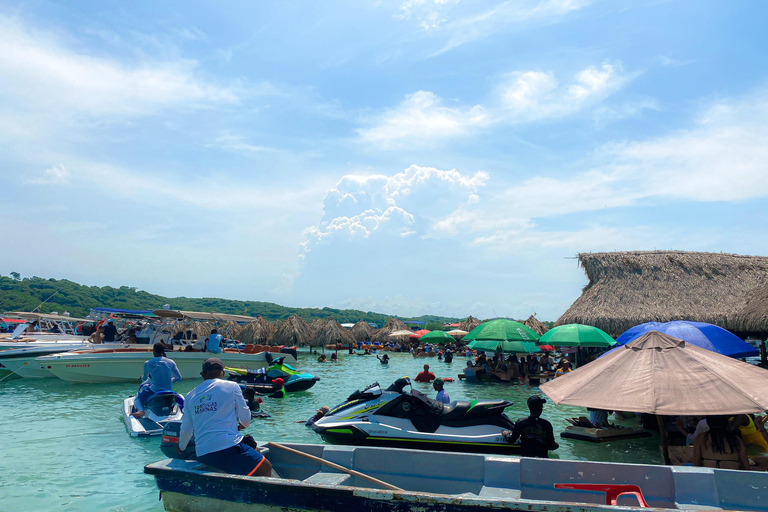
{"points": [[65, 447]]}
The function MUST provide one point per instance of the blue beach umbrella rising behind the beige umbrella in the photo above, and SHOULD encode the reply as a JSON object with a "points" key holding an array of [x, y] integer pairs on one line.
{"points": [[707, 336]]}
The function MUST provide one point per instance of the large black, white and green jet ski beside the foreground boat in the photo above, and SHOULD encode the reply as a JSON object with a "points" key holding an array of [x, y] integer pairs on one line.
{"points": [[395, 418]]}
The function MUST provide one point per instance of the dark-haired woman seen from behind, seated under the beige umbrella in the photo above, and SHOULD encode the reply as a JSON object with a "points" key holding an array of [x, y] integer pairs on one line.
{"points": [[719, 447]]}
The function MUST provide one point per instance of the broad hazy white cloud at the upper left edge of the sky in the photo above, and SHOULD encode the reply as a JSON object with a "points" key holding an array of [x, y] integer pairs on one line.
{"points": [[41, 73]]}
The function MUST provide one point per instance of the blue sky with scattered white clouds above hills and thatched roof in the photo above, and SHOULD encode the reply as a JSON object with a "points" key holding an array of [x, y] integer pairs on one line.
{"points": [[408, 157]]}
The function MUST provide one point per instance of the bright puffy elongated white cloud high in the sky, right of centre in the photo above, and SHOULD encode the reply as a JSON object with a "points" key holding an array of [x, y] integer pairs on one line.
{"points": [[521, 97]]}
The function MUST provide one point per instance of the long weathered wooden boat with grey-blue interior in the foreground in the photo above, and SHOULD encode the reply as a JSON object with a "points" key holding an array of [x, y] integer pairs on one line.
{"points": [[437, 481]]}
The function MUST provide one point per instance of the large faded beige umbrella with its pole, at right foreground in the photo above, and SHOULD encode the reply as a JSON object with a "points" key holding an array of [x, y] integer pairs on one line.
{"points": [[662, 375]]}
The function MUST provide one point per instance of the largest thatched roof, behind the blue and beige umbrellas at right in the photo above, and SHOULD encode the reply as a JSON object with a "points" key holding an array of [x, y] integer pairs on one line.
{"points": [[628, 288]]}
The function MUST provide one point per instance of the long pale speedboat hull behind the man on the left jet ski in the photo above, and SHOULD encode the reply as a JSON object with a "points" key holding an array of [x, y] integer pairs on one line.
{"points": [[127, 364]]}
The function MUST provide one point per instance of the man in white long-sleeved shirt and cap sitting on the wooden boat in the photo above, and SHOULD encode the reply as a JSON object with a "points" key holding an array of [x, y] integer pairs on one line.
{"points": [[215, 411]]}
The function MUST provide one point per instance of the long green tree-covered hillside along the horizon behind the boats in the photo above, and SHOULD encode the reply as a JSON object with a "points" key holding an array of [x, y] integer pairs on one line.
{"points": [[17, 294]]}
